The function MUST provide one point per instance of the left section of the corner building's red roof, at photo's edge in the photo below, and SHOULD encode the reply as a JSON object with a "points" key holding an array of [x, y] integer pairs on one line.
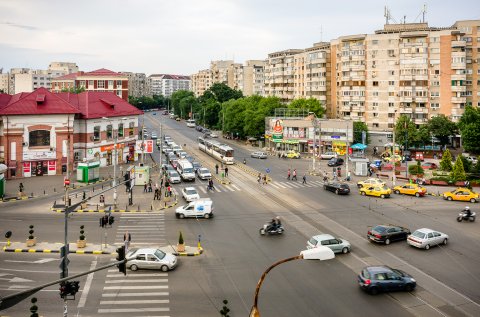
{"points": [[40, 101]]}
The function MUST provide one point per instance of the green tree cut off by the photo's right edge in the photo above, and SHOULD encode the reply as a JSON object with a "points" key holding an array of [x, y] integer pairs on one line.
{"points": [[469, 126]]}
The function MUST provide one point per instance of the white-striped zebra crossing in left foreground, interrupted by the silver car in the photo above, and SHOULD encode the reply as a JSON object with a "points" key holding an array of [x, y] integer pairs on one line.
{"points": [[144, 292]]}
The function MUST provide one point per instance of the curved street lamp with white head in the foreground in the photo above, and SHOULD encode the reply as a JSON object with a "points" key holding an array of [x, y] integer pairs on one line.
{"points": [[321, 253]]}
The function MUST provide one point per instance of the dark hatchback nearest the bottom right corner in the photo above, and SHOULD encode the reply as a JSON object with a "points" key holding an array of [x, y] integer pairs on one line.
{"points": [[375, 279]]}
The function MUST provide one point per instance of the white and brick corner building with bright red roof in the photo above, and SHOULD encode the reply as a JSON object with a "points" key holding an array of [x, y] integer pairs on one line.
{"points": [[39, 131]]}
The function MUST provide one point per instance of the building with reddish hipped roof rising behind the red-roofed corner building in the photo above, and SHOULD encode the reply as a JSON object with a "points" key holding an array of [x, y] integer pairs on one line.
{"points": [[99, 80]]}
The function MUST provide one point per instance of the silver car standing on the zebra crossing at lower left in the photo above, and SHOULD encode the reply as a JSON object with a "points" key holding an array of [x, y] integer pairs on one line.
{"points": [[152, 259]]}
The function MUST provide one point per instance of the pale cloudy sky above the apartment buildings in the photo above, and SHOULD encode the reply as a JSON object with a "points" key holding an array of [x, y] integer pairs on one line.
{"points": [[183, 36]]}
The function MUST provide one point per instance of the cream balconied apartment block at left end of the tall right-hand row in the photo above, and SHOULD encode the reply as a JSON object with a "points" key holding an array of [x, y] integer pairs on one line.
{"points": [[280, 74]]}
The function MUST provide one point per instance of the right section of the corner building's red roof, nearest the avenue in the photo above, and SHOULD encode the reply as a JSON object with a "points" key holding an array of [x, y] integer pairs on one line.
{"points": [[100, 104]]}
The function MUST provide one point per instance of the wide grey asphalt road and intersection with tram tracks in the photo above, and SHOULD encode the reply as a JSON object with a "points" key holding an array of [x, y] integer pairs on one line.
{"points": [[235, 255]]}
